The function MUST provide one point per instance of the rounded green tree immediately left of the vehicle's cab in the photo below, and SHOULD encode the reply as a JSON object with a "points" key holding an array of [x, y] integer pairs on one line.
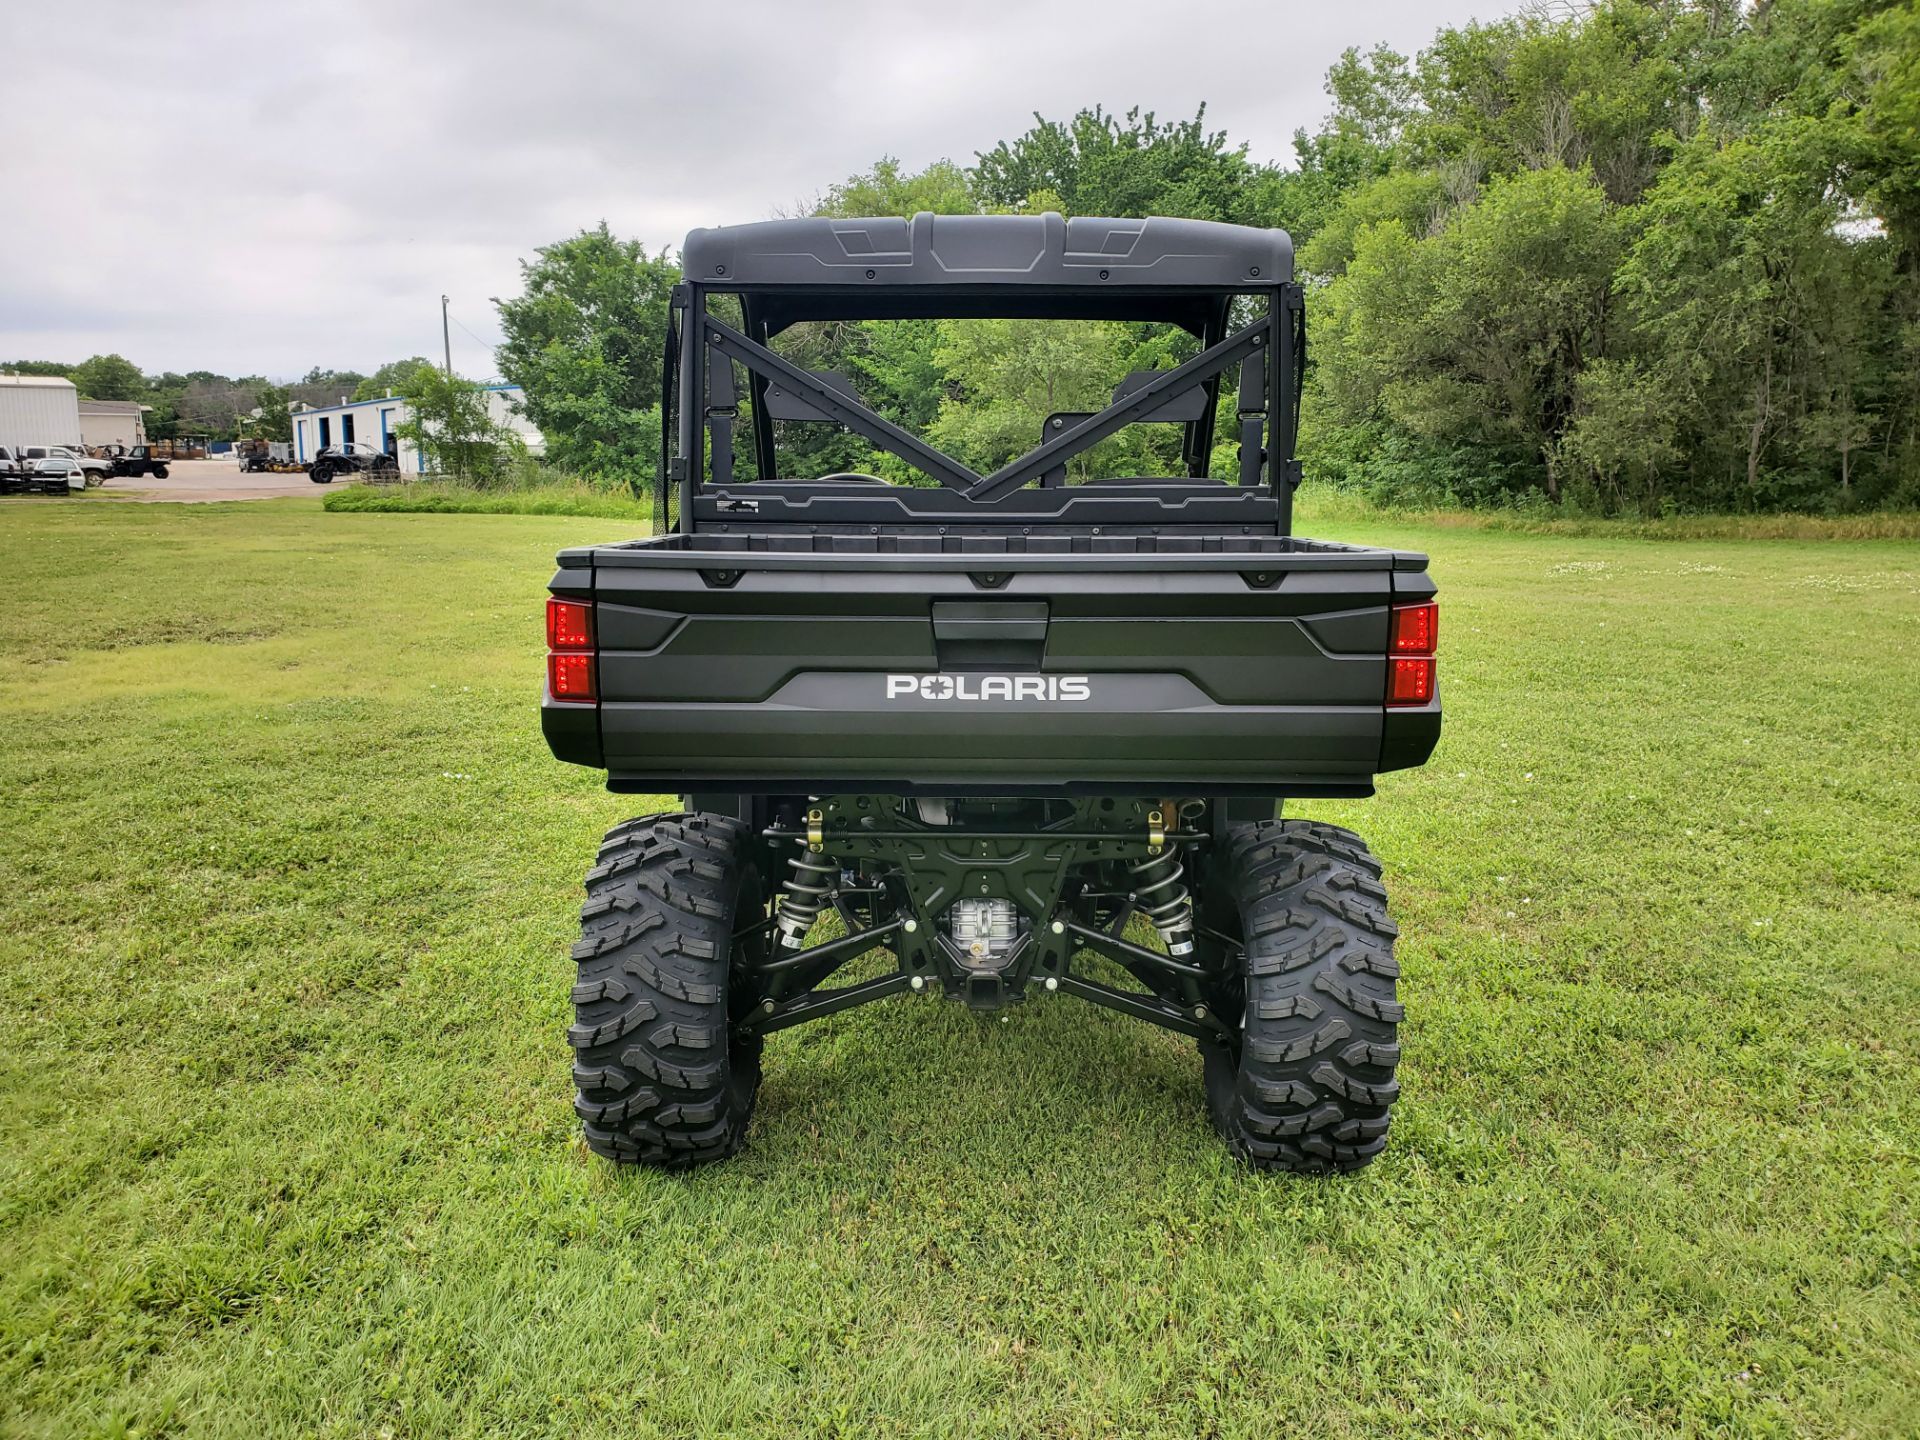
{"points": [[585, 341]]}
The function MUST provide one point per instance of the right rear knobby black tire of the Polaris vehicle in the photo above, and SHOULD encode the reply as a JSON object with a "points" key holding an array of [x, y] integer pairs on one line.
{"points": [[1308, 1082]]}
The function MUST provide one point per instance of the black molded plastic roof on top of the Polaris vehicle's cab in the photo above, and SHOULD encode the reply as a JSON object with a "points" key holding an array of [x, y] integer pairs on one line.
{"points": [[990, 251]]}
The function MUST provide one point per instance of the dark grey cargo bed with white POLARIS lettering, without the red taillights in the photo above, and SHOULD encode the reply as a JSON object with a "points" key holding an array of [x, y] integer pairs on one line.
{"points": [[992, 663]]}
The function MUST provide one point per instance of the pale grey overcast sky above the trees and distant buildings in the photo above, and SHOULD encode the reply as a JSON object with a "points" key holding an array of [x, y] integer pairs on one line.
{"points": [[262, 189]]}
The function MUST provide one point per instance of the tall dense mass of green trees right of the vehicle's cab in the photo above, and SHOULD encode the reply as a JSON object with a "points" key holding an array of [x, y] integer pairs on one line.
{"points": [[1731, 316]]}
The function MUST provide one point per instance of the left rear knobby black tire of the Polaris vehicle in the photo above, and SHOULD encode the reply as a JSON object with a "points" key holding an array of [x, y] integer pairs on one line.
{"points": [[663, 1078]]}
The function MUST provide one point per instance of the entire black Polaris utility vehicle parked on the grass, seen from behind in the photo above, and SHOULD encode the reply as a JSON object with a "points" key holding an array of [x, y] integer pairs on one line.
{"points": [[988, 736]]}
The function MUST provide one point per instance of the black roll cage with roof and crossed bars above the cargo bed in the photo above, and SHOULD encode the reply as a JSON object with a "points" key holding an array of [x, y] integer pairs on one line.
{"points": [[1176, 272]]}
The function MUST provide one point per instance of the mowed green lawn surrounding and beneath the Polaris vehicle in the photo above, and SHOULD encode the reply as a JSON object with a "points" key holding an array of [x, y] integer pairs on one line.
{"points": [[287, 884]]}
